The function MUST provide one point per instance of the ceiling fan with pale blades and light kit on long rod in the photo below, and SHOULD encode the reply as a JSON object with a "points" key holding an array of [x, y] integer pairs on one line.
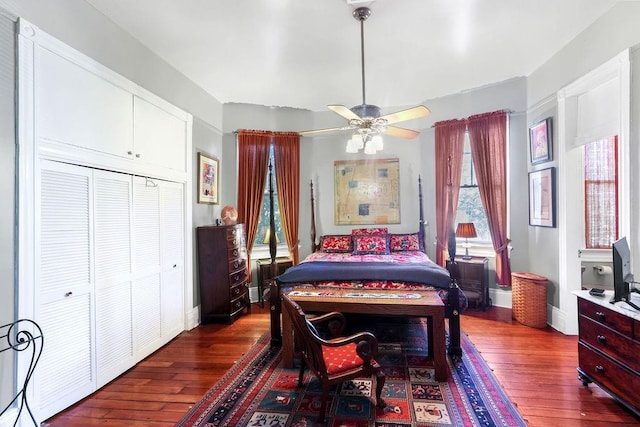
{"points": [[365, 119]]}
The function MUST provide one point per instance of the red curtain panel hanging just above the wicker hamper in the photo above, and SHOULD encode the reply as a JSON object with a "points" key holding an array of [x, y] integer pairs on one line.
{"points": [[488, 140]]}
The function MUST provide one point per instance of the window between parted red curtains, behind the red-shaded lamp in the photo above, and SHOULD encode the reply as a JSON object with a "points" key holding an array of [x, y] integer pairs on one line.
{"points": [[470, 207]]}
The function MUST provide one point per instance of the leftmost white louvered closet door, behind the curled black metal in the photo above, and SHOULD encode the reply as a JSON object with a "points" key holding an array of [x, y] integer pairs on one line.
{"points": [[63, 286]]}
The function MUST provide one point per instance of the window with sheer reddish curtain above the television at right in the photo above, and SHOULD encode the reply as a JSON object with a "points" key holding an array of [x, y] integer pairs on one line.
{"points": [[601, 193]]}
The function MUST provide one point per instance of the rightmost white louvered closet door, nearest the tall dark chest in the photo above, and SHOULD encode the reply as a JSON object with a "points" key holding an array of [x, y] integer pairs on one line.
{"points": [[172, 240]]}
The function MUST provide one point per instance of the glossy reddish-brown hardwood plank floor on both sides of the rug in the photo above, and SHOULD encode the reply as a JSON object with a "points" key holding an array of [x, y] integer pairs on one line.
{"points": [[537, 368]]}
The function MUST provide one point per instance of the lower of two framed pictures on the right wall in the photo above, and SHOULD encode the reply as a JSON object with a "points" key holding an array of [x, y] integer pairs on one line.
{"points": [[542, 198]]}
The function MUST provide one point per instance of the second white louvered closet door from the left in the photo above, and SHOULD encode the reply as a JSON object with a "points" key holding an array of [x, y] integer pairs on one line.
{"points": [[113, 280]]}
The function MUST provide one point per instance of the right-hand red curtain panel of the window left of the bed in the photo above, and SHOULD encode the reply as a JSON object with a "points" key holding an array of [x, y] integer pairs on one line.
{"points": [[287, 159]]}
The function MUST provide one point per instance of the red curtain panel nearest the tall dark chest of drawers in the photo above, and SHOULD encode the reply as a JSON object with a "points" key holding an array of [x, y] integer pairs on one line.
{"points": [[253, 163]]}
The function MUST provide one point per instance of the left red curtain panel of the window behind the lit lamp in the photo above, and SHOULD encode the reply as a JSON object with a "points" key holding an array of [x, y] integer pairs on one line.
{"points": [[449, 141]]}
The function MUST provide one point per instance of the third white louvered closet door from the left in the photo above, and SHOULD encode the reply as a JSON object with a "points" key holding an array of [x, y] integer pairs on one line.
{"points": [[147, 305]]}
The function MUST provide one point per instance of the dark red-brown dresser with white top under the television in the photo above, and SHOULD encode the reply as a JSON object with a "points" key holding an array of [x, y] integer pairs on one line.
{"points": [[609, 347]]}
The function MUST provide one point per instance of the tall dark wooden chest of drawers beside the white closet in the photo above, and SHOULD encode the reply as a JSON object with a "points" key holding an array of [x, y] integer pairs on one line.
{"points": [[222, 269]]}
